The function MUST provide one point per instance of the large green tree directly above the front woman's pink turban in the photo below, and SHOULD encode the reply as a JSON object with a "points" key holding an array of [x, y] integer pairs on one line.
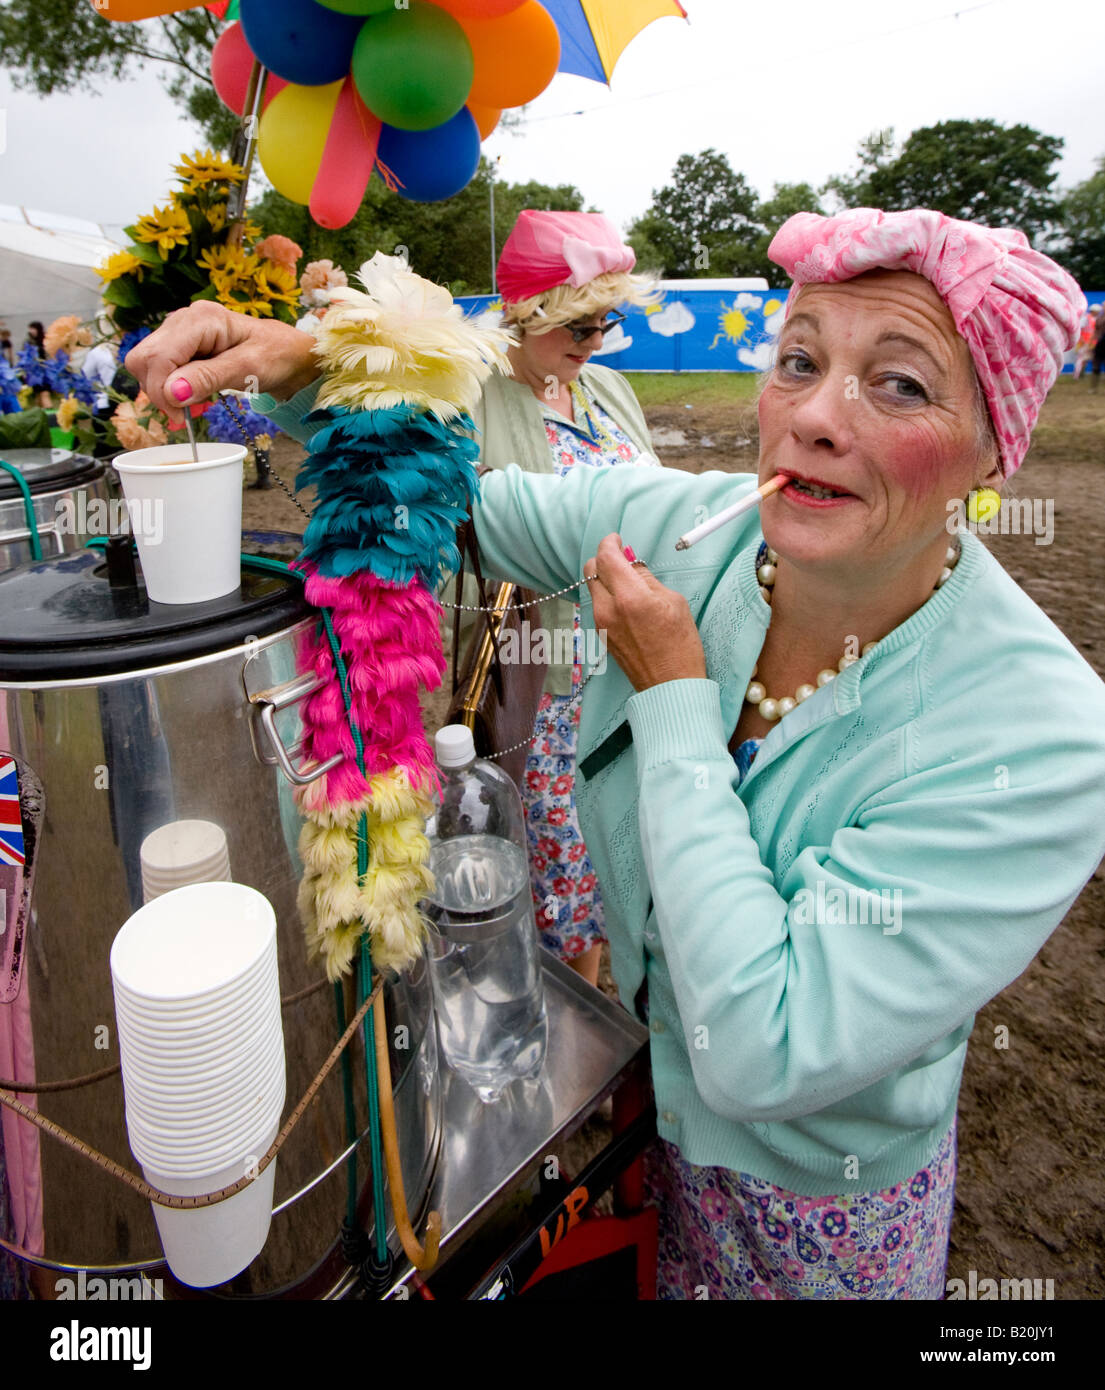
{"points": [[981, 172]]}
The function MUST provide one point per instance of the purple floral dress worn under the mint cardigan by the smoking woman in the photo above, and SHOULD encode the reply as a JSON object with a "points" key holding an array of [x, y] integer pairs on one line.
{"points": [[728, 1235]]}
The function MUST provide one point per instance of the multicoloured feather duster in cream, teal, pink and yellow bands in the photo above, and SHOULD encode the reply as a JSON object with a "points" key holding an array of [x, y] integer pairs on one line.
{"points": [[394, 471]]}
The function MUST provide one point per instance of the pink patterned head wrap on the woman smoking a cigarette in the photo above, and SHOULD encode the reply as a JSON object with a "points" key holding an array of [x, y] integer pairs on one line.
{"points": [[1018, 311]]}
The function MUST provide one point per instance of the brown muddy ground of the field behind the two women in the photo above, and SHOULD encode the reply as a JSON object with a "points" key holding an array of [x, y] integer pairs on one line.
{"points": [[1031, 1197]]}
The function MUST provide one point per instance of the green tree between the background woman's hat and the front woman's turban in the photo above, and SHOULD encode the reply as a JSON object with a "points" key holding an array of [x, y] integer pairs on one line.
{"points": [[704, 223]]}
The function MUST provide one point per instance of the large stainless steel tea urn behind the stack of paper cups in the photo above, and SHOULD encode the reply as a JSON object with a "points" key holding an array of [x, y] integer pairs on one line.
{"points": [[134, 715]]}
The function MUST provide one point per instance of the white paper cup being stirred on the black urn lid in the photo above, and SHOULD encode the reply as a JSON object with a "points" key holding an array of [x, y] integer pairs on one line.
{"points": [[187, 519]]}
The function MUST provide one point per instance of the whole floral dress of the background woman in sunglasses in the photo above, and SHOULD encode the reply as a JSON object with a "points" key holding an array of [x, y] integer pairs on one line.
{"points": [[566, 893]]}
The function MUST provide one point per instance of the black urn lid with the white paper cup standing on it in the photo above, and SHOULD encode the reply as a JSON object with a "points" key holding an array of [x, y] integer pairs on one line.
{"points": [[74, 618]]}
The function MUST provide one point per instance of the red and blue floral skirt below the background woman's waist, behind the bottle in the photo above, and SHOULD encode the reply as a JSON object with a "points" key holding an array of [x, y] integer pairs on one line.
{"points": [[566, 893]]}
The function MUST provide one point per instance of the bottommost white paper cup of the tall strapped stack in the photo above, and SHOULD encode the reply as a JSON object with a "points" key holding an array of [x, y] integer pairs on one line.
{"points": [[212, 1245]]}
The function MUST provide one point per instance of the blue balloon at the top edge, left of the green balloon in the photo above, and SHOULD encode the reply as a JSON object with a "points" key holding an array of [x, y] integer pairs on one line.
{"points": [[301, 41]]}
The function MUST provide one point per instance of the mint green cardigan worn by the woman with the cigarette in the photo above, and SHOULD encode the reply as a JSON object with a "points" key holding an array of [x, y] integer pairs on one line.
{"points": [[957, 772]]}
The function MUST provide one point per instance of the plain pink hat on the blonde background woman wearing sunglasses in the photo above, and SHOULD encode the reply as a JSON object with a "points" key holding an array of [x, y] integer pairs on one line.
{"points": [[548, 250]]}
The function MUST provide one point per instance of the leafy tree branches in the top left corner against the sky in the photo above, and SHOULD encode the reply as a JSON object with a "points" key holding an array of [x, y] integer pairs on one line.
{"points": [[67, 47]]}
